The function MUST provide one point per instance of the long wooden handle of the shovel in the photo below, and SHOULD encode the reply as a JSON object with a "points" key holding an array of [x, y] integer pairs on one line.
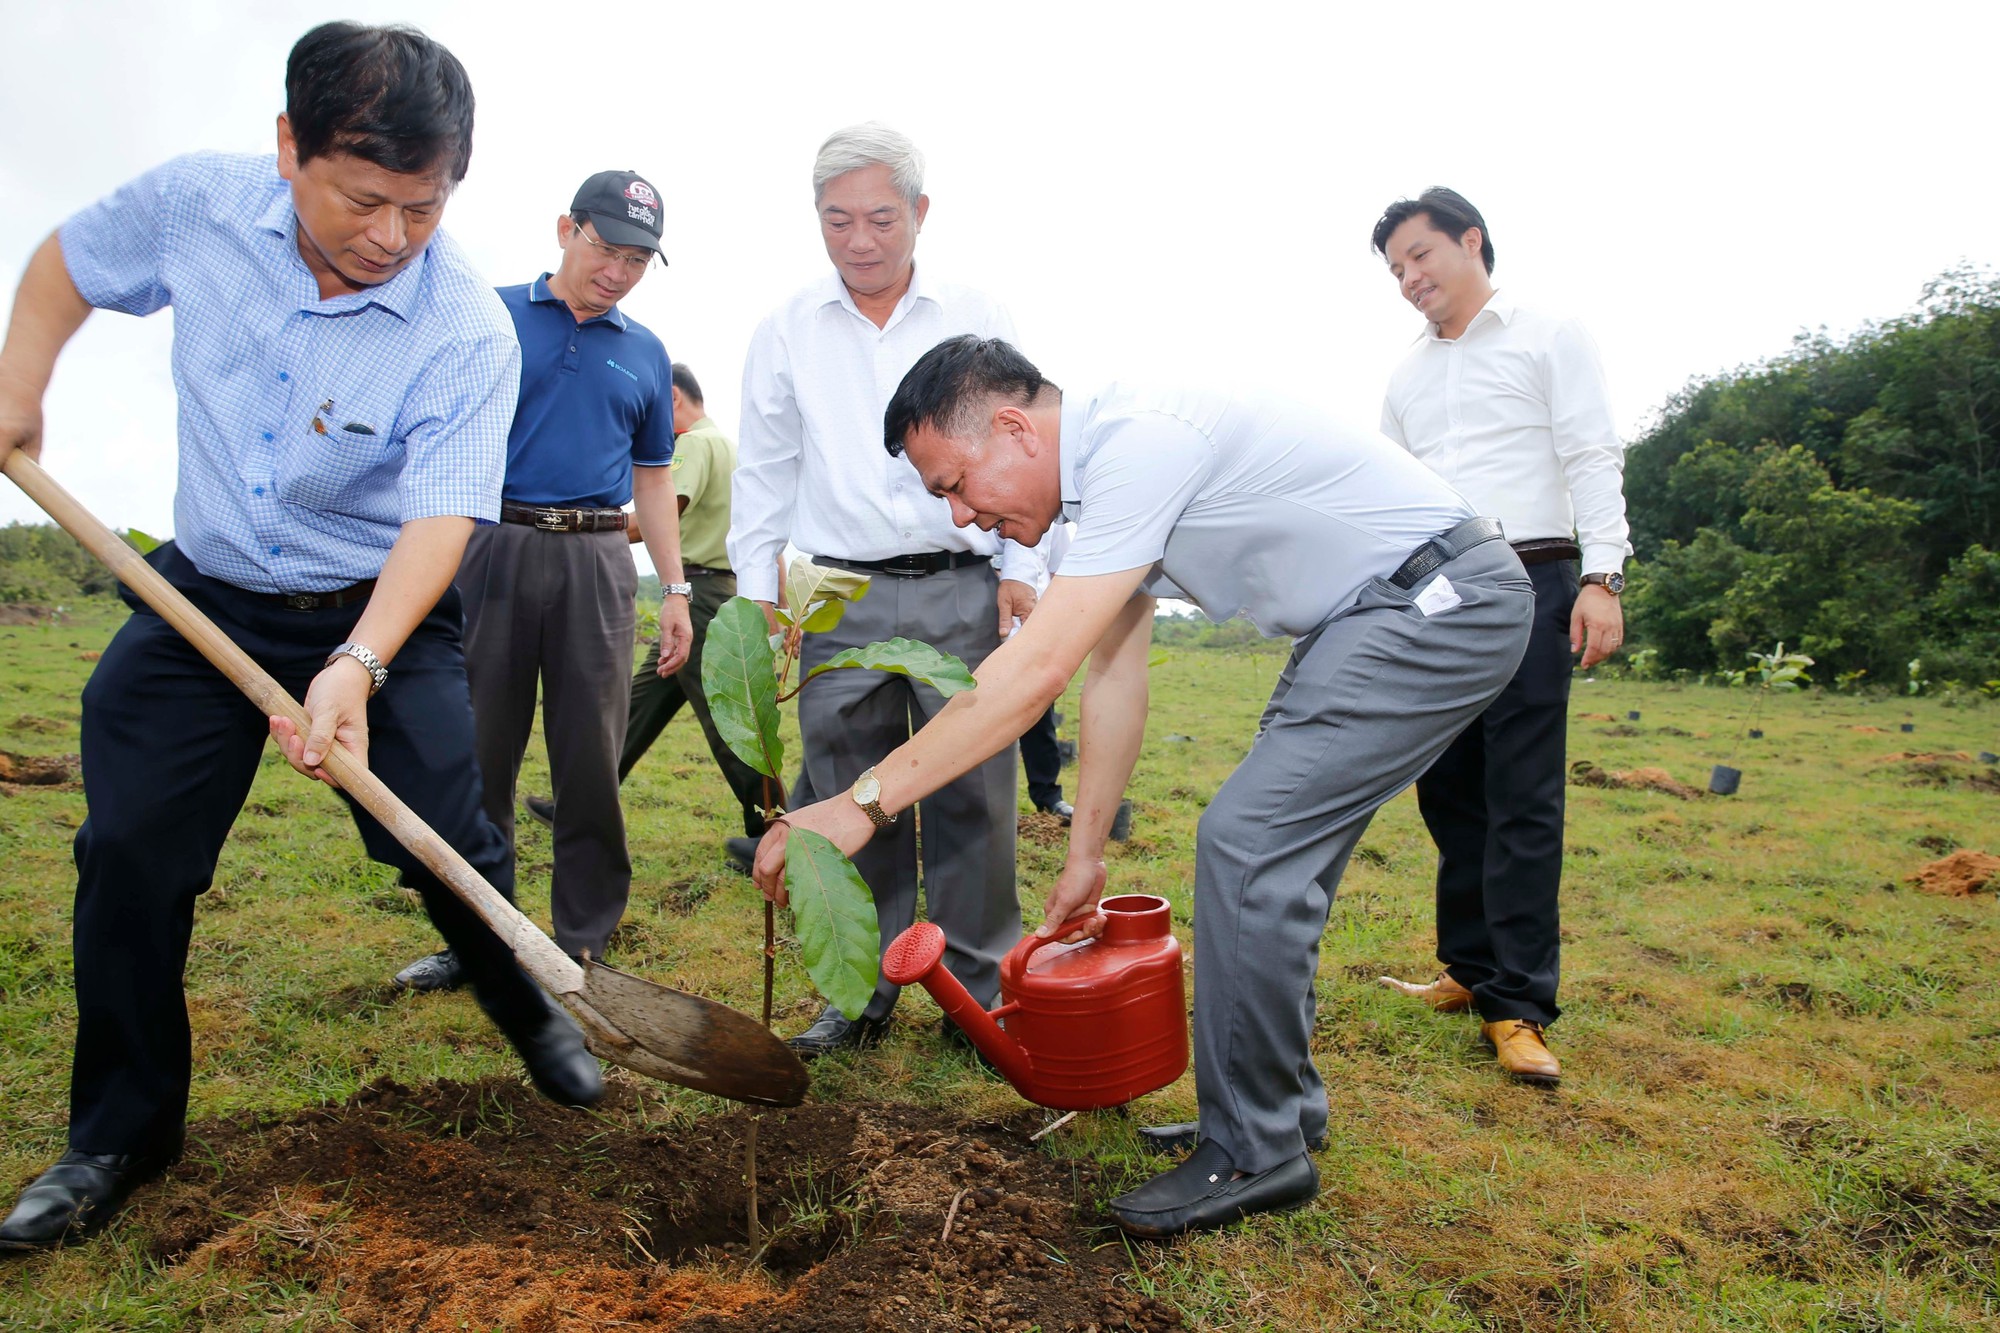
{"points": [[537, 954]]}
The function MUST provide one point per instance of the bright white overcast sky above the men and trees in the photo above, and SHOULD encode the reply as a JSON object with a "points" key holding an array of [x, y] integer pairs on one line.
{"points": [[1155, 191]]}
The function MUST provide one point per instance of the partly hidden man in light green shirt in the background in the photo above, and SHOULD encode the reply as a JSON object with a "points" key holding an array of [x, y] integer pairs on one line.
{"points": [[705, 459]]}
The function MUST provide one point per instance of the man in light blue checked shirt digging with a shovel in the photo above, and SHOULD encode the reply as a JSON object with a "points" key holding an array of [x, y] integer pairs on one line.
{"points": [[347, 385]]}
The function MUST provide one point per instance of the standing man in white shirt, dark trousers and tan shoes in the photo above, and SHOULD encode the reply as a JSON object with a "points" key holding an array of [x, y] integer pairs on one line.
{"points": [[1509, 405]]}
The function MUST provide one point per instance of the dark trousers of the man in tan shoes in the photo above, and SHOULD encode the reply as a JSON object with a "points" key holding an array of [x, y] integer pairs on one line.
{"points": [[1495, 810]]}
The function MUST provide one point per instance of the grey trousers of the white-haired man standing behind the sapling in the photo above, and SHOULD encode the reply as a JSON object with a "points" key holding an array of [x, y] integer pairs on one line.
{"points": [[853, 720]]}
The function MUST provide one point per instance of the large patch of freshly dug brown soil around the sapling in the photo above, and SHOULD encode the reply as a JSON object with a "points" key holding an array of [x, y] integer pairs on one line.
{"points": [[483, 1206]]}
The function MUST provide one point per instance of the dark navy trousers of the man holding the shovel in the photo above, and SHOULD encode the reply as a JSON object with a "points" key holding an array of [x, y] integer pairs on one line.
{"points": [[171, 750]]}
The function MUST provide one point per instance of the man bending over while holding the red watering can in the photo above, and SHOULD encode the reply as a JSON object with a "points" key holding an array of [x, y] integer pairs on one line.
{"points": [[1409, 617]]}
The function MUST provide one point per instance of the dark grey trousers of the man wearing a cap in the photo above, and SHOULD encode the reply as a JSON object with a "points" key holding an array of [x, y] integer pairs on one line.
{"points": [[555, 611]]}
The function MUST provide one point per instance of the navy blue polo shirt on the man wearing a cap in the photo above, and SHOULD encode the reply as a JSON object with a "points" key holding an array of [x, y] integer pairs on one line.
{"points": [[595, 401]]}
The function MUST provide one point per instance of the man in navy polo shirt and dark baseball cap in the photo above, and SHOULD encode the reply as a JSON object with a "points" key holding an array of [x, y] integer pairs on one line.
{"points": [[549, 593]]}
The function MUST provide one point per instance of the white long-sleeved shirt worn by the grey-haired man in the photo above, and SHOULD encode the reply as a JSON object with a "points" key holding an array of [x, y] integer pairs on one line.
{"points": [[811, 461]]}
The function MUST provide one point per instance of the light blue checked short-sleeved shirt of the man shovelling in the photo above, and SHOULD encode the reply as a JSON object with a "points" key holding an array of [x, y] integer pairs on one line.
{"points": [[421, 377]]}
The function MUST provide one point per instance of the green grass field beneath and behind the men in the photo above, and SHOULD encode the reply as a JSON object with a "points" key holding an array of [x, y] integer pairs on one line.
{"points": [[1783, 1064]]}
